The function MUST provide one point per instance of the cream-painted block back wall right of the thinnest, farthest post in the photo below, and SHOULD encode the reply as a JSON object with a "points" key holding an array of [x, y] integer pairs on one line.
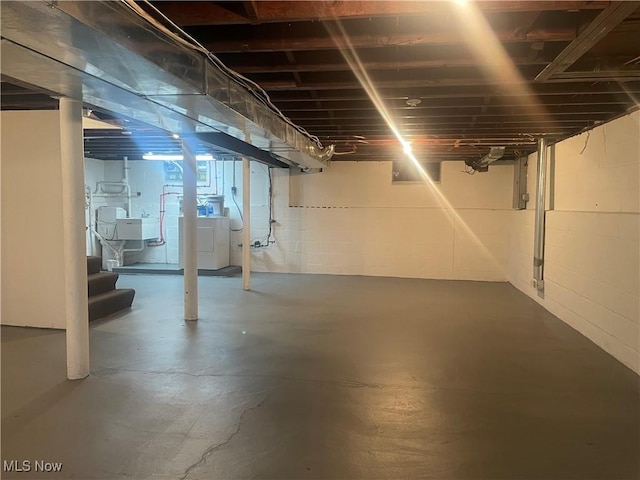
{"points": [[351, 220]]}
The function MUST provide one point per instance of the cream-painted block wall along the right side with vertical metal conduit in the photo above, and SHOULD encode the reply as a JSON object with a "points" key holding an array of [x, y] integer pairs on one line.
{"points": [[592, 266]]}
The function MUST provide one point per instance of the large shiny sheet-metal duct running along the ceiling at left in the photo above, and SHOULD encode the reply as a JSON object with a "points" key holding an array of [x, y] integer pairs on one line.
{"points": [[103, 53]]}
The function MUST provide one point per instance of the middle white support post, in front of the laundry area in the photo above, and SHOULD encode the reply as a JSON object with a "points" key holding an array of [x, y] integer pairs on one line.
{"points": [[190, 250]]}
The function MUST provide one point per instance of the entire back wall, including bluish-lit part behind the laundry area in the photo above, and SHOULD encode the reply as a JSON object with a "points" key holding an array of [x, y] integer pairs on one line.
{"points": [[351, 219]]}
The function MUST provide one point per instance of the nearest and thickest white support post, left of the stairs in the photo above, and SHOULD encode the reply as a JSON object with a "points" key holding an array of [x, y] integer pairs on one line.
{"points": [[75, 260]]}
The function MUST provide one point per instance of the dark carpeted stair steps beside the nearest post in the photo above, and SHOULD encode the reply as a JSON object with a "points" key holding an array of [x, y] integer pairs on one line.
{"points": [[104, 298]]}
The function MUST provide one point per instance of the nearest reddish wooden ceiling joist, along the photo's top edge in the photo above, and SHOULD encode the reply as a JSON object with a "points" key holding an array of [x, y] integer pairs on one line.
{"points": [[189, 13]]}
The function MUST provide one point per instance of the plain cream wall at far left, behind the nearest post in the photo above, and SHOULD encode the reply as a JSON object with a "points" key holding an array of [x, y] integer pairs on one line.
{"points": [[32, 237]]}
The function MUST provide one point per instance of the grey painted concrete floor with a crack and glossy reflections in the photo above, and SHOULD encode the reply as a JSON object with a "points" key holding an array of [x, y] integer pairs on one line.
{"points": [[311, 377]]}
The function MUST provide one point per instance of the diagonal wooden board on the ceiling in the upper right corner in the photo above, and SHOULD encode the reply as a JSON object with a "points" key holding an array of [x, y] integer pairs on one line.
{"points": [[606, 21]]}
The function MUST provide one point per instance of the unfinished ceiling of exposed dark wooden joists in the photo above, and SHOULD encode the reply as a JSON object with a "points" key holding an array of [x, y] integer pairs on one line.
{"points": [[556, 69]]}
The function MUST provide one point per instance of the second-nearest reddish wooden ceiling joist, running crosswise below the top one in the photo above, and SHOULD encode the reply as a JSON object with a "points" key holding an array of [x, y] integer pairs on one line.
{"points": [[433, 37]]}
